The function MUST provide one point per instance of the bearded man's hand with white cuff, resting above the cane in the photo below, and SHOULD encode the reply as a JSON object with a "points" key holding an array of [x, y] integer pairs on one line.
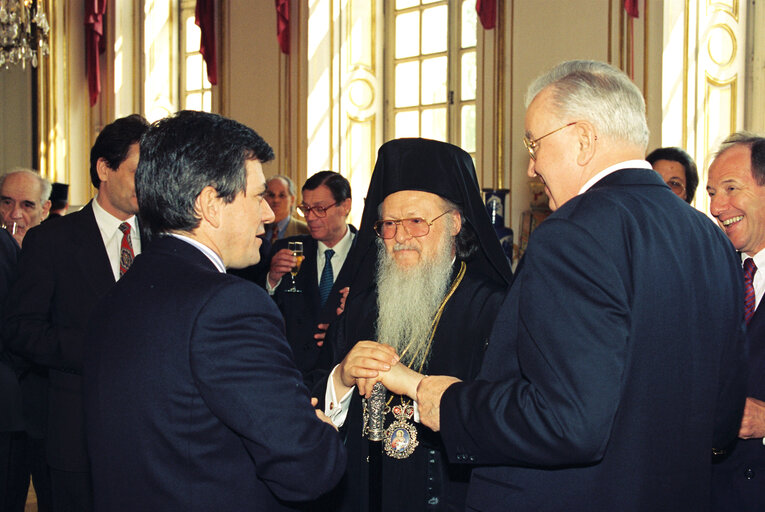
{"points": [[362, 367]]}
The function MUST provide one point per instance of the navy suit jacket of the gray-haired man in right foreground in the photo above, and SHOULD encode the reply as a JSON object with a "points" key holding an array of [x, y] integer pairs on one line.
{"points": [[615, 365]]}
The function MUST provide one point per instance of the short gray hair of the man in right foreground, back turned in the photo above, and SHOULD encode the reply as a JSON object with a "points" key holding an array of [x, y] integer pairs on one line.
{"points": [[598, 93]]}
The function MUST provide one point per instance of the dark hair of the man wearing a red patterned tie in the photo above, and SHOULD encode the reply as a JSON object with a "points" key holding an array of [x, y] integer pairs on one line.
{"points": [[113, 143]]}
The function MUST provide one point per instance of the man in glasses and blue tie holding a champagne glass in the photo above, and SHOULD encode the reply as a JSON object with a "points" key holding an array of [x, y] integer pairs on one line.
{"points": [[307, 313]]}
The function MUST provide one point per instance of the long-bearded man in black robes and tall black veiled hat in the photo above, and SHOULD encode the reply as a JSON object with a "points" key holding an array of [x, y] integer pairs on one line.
{"points": [[430, 275]]}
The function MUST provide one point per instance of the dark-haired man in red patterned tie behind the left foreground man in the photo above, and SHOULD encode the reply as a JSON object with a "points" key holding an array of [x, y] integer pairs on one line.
{"points": [[65, 267]]}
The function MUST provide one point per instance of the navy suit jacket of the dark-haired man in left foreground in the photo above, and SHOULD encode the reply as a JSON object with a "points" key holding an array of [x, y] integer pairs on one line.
{"points": [[191, 399]]}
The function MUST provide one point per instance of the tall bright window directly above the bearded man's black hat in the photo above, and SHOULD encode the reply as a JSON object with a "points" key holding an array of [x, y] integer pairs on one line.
{"points": [[432, 70]]}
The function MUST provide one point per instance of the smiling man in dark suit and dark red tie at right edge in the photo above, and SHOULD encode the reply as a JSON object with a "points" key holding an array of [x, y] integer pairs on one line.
{"points": [[736, 187]]}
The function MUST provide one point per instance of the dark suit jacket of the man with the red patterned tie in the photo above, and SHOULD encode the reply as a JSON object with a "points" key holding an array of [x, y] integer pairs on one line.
{"points": [[63, 272]]}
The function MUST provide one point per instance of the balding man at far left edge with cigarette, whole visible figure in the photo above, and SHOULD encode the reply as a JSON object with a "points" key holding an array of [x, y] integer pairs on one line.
{"points": [[24, 204]]}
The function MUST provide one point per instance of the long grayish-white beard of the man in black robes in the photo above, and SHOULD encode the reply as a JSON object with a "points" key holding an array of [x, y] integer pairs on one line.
{"points": [[408, 299]]}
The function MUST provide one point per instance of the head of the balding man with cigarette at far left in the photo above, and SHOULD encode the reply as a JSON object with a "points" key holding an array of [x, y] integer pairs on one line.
{"points": [[24, 201]]}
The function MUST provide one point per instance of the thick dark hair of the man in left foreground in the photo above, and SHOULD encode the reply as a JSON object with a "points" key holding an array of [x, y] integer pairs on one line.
{"points": [[184, 153]]}
